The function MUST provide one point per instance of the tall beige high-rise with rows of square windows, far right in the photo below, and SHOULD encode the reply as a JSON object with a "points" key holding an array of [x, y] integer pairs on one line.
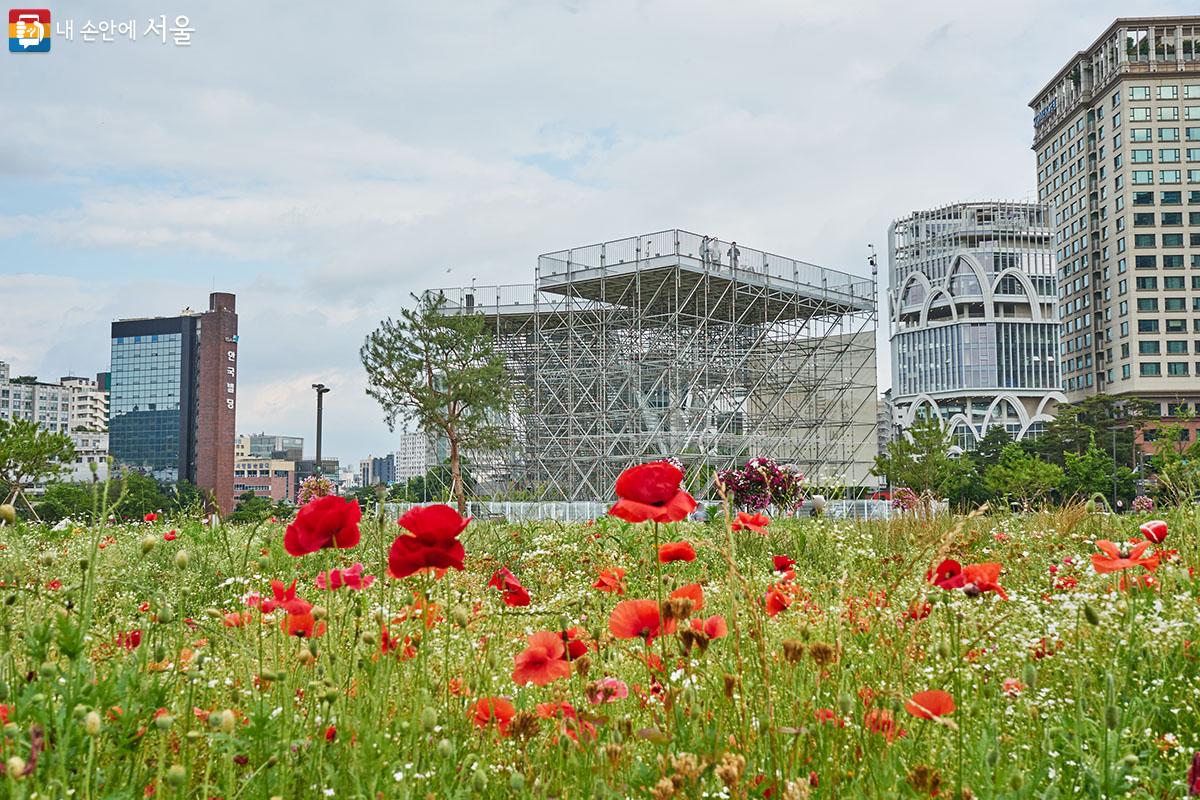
{"points": [[1118, 141]]}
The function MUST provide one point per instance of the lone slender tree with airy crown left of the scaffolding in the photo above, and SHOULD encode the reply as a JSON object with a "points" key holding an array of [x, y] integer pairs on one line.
{"points": [[440, 370]]}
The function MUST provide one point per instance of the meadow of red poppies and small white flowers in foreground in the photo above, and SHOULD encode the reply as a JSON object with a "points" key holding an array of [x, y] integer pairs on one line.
{"points": [[632, 658]]}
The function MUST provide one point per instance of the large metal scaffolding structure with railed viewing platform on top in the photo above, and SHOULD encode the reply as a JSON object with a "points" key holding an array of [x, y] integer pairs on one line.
{"points": [[675, 345]]}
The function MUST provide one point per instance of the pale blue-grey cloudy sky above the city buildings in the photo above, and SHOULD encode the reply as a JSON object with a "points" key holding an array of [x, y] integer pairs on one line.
{"points": [[322, 161]]}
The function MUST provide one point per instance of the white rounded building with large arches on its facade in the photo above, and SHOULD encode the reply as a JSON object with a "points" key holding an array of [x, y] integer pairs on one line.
{"points": [[974, 320]]}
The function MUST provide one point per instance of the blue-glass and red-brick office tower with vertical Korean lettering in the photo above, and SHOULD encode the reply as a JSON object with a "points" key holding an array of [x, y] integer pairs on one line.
{"points": [[173, 398]]}
